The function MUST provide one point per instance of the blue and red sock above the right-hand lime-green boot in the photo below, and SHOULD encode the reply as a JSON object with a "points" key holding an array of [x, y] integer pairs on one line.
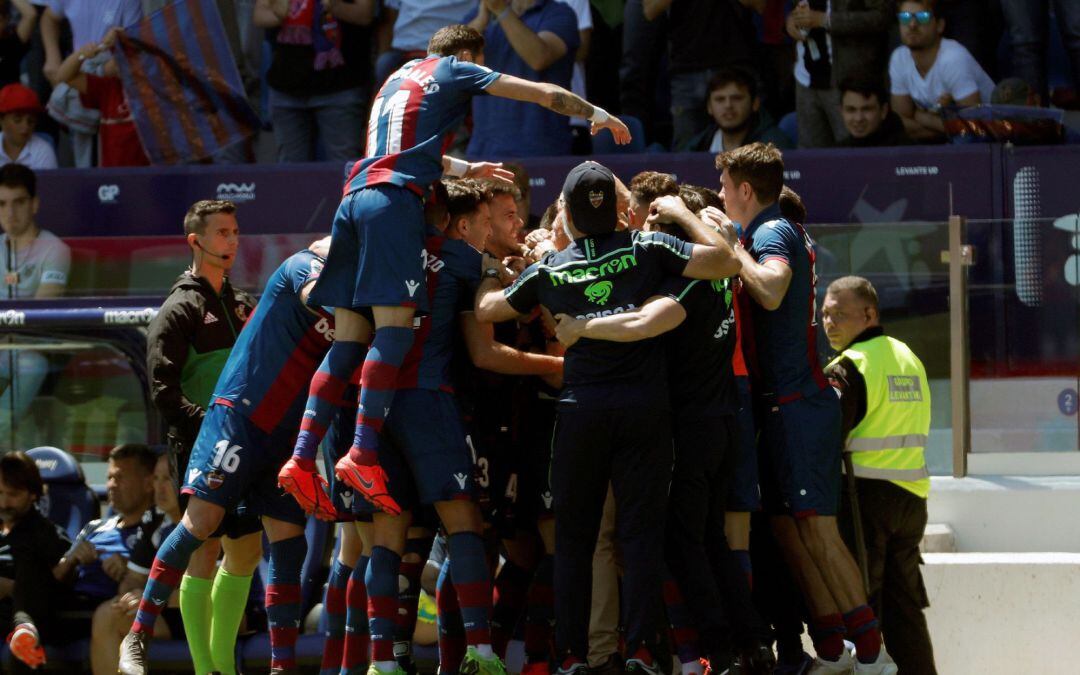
{"points": [[474, 585]]}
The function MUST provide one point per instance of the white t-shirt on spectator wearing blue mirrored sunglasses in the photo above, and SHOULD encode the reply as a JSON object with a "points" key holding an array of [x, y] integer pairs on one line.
{"points": [[955, 73]]}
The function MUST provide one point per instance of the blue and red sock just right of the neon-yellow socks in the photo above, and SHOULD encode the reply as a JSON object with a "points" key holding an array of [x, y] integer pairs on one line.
{"points": [[283, 600]]}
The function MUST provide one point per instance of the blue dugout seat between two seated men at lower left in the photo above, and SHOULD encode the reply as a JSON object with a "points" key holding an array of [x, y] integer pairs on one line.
{"points": [[69, 502]]}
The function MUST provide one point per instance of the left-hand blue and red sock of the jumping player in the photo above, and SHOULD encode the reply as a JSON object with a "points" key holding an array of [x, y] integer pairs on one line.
{"points": [[332, 380]]}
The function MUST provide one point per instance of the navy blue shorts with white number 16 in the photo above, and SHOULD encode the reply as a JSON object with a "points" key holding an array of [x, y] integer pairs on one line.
{"points": [[234, 462]]}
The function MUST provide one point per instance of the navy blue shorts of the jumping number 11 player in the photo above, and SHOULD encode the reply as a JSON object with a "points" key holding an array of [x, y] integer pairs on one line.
{"points": [[377, 252]]}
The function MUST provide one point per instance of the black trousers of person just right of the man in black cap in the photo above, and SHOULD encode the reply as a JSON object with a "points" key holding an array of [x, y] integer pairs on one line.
{"points": [[713, 585]]}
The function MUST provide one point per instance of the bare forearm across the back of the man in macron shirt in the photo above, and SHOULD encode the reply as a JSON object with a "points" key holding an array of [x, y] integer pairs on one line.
{"points": [[658, 316]]}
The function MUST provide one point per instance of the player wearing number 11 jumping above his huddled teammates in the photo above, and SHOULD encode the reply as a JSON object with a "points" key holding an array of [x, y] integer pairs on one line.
{"points": [[413, 115]]}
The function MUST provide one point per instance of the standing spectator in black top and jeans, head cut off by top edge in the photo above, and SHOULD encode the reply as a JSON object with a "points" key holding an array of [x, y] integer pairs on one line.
{"points": [[695, 31]]}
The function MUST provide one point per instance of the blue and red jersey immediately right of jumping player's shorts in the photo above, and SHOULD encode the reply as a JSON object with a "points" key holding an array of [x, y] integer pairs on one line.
{"points": [[454, 273]]}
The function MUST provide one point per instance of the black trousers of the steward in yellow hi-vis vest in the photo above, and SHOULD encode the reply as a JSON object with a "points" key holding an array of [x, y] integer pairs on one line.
{"points": [[894, 521]]}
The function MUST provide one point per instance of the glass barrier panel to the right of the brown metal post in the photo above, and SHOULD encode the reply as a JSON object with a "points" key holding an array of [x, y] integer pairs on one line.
{"points": [[1024, 303]]}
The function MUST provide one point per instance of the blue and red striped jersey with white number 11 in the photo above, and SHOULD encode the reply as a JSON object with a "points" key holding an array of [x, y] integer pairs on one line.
{"points": [[413, 116]]}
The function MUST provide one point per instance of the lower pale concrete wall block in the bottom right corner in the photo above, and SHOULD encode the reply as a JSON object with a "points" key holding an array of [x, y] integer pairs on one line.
{"points": [[1005, 614]]}
